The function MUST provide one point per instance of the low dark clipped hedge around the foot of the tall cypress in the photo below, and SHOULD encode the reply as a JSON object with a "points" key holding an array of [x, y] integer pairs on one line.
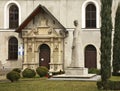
{"points": [[109, 85]]}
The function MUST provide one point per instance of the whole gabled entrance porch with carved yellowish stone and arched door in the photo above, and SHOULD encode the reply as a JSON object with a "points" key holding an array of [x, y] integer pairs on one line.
{"points": [[43, 30]]}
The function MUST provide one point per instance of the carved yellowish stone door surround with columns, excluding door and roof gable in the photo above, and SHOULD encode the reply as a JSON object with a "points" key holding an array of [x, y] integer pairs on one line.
{"points": [[32, 43]]}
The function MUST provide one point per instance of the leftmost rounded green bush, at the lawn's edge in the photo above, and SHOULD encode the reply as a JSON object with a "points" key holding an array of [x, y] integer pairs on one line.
{"points": [[13, 76]]}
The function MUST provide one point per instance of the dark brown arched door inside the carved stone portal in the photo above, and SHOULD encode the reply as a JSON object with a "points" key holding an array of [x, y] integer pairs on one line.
{"points": [[44, 55]]}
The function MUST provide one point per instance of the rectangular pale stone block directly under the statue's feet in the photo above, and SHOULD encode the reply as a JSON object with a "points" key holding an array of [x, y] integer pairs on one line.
{"points": [[76, 71]]}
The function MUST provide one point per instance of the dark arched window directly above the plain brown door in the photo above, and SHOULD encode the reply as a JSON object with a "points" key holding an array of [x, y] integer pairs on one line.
{"points": [[90, 16]]}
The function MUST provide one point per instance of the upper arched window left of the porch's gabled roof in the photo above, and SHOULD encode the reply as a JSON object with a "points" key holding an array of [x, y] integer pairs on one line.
{"points": [[13, 16]]}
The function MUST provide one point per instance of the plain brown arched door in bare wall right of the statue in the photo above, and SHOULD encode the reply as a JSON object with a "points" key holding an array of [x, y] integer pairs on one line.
{"points": [[90, 57]]}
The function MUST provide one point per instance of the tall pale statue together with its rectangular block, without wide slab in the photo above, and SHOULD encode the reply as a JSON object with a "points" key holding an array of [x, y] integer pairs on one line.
{"points": [[77, 63]]}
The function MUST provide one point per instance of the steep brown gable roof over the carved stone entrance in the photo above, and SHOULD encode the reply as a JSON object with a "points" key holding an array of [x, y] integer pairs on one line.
{"points": [[39, 9]]}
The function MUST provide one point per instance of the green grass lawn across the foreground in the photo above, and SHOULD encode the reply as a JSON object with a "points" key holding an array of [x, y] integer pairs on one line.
{"points": [[42, 84]]}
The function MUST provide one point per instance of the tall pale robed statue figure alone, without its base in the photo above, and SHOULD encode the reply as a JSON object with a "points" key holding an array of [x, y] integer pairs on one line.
{"points": [[75, 47]]}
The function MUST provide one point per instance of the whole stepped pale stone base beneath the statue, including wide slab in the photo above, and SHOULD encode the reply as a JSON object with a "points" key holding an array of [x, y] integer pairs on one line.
{"points": [[76, 73]]}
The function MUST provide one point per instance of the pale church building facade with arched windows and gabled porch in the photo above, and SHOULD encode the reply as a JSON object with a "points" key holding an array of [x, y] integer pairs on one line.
{"points": [[40, 32]]}
